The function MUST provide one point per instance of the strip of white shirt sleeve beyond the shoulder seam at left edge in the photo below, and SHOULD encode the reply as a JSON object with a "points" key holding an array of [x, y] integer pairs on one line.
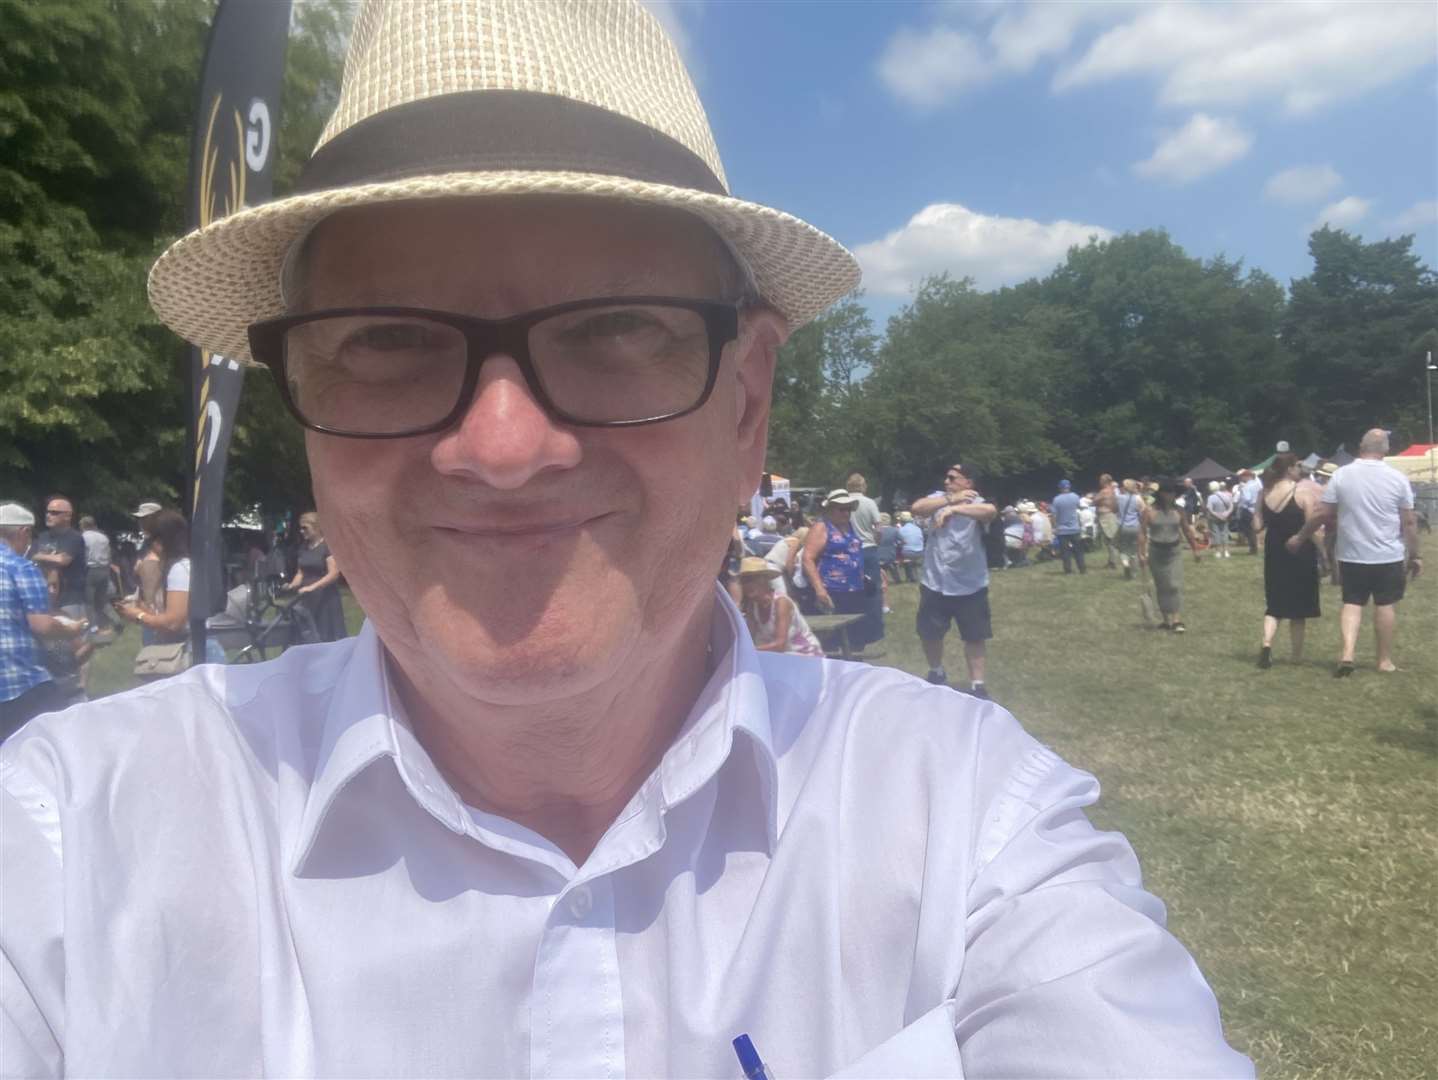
{"points": [[32, 957]]}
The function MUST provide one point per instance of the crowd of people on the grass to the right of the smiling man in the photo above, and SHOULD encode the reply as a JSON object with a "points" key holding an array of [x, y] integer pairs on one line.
{"points": [[1355, 526]]}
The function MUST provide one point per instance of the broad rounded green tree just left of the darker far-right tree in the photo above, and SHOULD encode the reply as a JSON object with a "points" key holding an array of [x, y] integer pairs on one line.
{"points": [[1170, 359]]}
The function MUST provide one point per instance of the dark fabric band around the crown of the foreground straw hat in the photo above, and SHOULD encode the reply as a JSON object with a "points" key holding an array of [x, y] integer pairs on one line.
{"points": [[485, 132]]}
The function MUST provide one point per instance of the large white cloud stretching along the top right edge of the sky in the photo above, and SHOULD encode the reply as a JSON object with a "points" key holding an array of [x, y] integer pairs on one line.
{"points": [[1296, 54]]}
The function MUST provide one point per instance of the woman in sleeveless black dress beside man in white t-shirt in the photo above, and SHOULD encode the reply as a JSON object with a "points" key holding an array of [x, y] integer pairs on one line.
{"points": [[1291, 583]]}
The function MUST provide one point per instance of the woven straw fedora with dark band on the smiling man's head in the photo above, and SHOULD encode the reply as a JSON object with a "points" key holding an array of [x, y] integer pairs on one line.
{"points": [[497, 99]]}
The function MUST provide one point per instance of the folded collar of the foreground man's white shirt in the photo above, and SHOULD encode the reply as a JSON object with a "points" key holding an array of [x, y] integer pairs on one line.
{"points": [[365, 724]]}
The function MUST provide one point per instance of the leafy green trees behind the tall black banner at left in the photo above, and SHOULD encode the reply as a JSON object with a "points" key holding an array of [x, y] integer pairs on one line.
{"points": [[96, 116]]}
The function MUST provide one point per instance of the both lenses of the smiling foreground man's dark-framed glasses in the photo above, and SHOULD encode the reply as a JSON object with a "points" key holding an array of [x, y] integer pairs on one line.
{"points": [[386, 375]]}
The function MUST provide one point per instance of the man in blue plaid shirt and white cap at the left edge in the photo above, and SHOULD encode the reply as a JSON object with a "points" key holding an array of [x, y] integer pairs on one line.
{"points": [[27, 688]]}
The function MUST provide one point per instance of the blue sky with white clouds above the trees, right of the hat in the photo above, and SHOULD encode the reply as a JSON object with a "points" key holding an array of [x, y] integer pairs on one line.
{"points": [[987, 137]]}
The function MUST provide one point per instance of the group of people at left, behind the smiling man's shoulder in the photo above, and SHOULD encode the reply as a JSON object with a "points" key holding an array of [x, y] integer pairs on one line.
{"points": [[67, 592]]}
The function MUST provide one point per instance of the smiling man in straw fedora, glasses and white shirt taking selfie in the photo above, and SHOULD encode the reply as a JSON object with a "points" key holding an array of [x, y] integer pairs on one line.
{"points": [[551, 815]]}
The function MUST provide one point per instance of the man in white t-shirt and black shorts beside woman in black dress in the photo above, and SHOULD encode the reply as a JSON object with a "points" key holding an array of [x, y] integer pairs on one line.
{"points": [[1377, 544]]}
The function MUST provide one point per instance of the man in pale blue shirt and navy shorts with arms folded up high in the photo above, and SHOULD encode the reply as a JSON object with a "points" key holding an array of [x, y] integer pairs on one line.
{"points": [[956, 577]]}
